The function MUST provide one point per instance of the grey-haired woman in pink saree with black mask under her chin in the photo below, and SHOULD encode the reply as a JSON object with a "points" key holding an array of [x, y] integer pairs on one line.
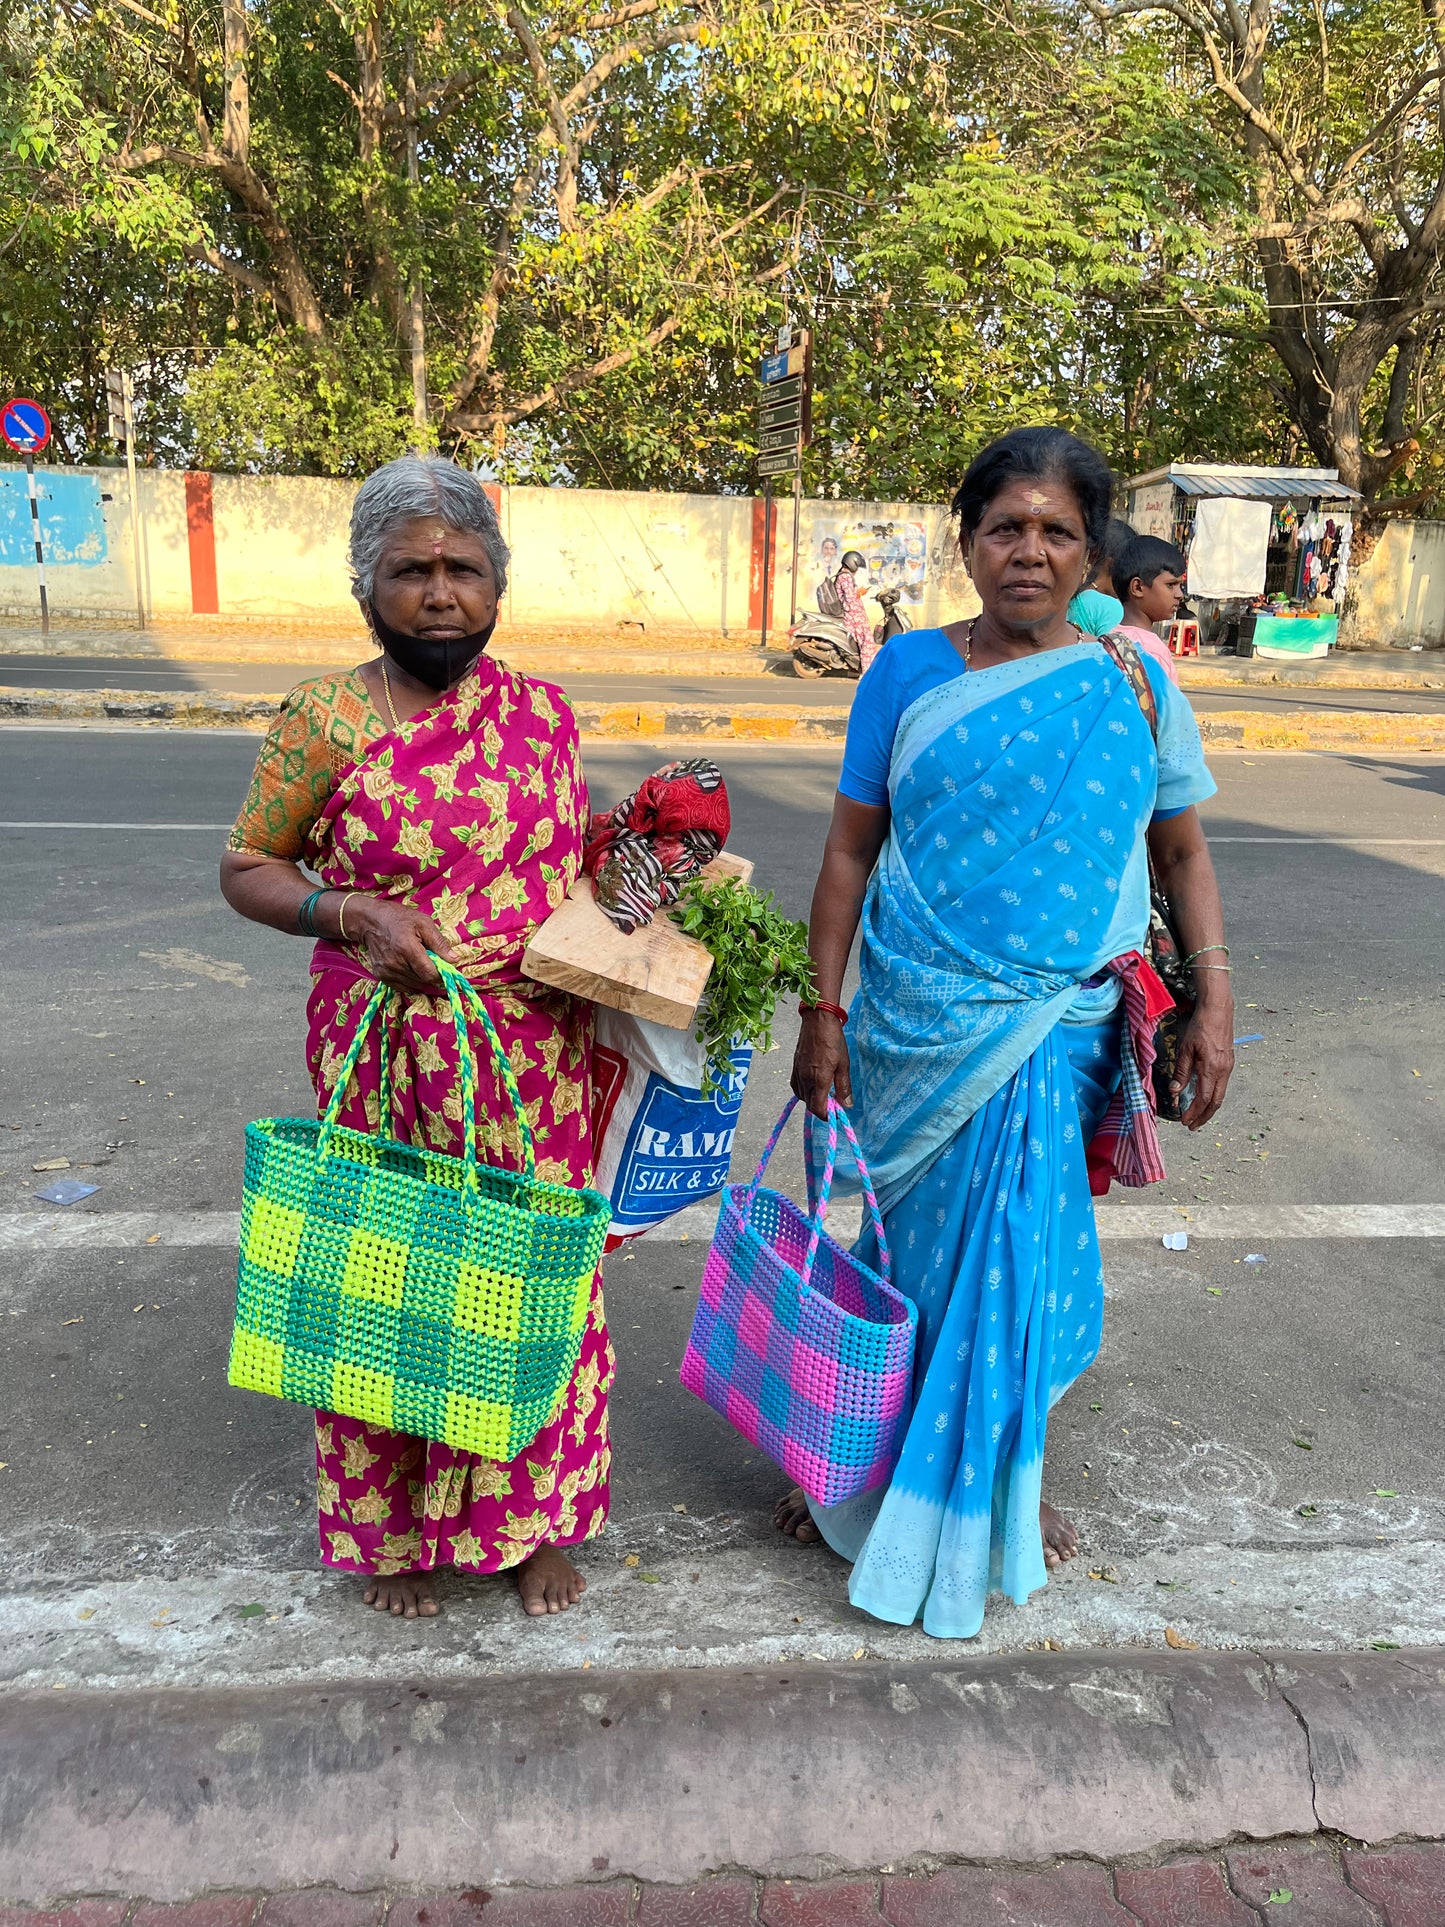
{"points": [[440, 801]]}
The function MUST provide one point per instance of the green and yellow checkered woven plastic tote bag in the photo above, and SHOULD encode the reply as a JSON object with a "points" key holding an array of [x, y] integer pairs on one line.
{"points": [[413, 1290]]}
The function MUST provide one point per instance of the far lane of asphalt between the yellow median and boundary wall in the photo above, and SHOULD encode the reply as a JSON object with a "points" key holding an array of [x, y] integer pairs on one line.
{"points": [[777, 687]]}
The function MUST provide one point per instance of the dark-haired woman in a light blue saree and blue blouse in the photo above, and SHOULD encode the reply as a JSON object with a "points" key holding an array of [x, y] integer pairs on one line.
{"points": [[1005, 787]]}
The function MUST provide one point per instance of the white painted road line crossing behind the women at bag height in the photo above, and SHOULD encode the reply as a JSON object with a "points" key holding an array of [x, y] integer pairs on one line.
{"points": [[1117, 1225]]}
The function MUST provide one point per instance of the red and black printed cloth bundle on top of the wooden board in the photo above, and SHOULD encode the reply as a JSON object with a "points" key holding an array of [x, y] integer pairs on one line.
{"points": [[658, 839]]}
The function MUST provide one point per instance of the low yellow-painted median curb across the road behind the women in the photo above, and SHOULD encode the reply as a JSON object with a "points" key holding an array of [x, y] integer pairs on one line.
{"points": [[1228, 729]]}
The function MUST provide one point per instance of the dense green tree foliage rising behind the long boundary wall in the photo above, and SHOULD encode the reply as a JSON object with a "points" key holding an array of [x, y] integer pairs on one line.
{"points": [[984, 217]]}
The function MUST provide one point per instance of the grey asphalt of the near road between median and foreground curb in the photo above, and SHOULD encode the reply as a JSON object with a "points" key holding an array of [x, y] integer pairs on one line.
{"points": [[147, 1024]]}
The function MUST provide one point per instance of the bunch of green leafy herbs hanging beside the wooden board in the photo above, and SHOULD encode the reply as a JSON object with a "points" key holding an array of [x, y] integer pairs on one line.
{"points": [[756, 953]]}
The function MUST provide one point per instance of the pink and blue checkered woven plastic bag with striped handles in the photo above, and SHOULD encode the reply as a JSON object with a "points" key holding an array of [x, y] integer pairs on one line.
{"points": [[799, 1344]]}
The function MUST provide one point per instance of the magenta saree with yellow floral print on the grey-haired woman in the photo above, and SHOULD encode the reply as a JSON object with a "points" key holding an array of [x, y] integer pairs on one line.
{"points": [[475, 814]]}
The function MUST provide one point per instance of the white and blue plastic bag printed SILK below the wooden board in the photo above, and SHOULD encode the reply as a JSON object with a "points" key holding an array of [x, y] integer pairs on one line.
{"points": [[658, 1142]]}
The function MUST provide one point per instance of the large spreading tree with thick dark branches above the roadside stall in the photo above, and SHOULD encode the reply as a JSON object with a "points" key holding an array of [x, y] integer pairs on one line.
{"points": [[1340, 117]]}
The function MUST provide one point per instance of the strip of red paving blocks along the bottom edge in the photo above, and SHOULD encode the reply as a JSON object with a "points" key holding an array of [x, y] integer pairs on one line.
{"points": [[1309, 1882]]}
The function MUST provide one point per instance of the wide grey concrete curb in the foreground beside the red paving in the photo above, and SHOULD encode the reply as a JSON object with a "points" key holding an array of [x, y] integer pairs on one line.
{"points": [[562, 1780]]}
